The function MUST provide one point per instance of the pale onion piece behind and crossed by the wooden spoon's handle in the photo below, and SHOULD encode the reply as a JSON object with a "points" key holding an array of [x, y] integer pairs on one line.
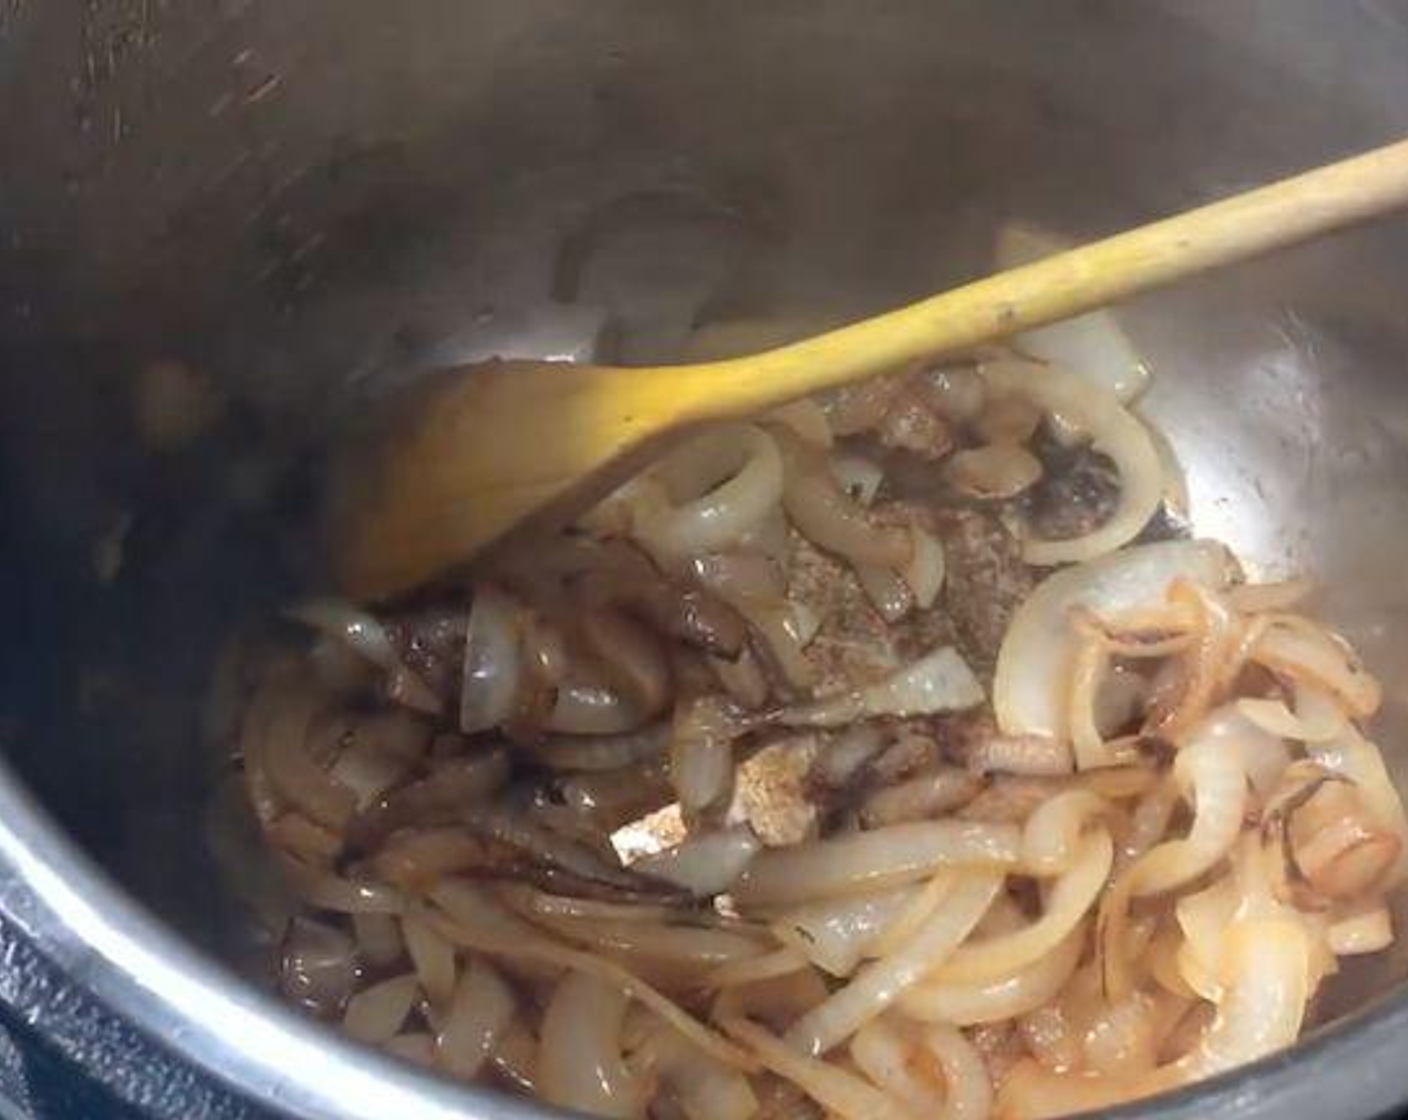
{"points": [[1093, 344]]}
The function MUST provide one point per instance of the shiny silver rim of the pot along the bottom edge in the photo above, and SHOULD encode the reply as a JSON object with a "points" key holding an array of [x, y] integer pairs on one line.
{"points": [[130, 962]]}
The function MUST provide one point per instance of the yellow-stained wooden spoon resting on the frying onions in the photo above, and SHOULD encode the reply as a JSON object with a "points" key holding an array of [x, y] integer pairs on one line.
{"points": [[484, 450]]}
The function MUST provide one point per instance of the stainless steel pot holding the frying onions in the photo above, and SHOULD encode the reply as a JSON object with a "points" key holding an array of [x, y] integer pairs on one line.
{"points": [[312, 201]]}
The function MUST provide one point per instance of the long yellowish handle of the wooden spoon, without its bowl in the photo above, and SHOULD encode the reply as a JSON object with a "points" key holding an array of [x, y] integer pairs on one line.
{"points": [[1060, 287]]}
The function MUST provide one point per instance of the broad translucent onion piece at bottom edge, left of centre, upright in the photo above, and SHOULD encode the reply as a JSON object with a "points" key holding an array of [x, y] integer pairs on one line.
{"points": [[579, 1063]]}
